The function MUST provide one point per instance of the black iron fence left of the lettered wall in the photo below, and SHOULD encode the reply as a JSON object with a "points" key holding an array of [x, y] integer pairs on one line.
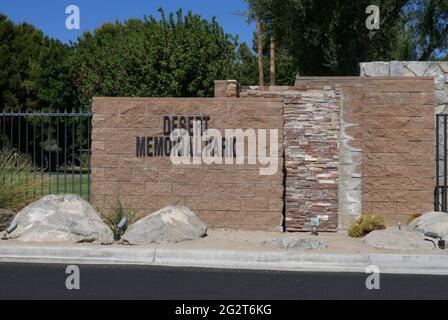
{"points": [[57, 142]]}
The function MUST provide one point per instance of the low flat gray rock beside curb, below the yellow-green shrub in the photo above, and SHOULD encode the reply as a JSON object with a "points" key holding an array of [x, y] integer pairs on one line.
{"points": [[398, 240]]}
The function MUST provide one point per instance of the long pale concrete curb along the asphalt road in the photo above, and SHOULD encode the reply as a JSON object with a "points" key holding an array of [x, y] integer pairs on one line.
{"points": [[223, 259]]}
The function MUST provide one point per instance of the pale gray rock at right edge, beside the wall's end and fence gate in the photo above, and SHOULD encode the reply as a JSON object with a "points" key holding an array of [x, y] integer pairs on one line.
{"points": [[435, 222]]}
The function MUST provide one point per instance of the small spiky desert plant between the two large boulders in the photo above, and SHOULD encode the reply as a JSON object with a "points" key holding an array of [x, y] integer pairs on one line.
{"points": [[116, 213]]}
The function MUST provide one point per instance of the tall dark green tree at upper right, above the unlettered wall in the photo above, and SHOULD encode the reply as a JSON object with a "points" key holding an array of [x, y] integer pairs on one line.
{"points": [[328, 37]]}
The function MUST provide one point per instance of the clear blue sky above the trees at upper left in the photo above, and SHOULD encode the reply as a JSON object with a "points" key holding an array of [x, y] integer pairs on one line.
{"points": [[49, 15]]}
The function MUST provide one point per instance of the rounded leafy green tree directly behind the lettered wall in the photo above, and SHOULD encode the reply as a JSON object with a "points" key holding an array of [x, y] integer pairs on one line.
{"points": [[178, 56]]}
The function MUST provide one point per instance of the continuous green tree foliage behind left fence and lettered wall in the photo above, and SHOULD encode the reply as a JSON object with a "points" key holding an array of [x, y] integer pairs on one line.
{"points": [[175, 56]]}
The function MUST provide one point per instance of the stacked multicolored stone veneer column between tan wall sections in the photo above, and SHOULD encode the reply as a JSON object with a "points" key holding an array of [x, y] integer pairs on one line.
{"points": [[311, 141]]}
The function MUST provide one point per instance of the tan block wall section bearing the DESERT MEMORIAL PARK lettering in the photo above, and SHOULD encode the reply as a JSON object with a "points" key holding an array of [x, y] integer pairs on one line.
{"points": [[224, 196]]}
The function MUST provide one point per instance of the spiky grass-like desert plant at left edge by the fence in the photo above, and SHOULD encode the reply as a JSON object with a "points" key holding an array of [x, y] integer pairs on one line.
{"points": [[17, 180]]}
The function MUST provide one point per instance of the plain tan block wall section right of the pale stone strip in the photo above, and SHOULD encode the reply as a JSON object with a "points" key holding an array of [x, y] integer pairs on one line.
{"points": [[398, 148]]}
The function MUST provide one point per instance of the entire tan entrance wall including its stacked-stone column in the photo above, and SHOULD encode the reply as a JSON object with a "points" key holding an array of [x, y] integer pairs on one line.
{"points": [[353, 145]]}
